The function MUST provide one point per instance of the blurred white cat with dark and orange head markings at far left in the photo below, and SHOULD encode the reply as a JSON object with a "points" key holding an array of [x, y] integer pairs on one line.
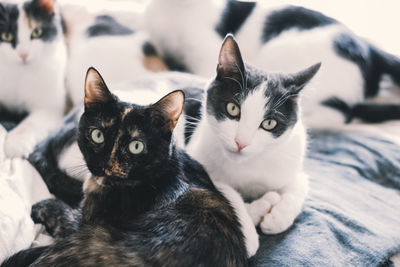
{"points": [[32, 68]]}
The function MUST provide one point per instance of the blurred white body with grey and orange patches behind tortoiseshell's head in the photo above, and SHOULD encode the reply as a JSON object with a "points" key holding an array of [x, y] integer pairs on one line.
{"points": [[115, 47]]}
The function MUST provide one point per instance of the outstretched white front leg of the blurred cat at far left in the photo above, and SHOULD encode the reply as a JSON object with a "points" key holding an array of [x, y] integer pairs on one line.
{"points": [[22, 139]]}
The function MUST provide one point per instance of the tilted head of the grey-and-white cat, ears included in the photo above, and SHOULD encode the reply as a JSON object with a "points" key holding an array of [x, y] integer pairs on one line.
{"points": [[251, 110]]}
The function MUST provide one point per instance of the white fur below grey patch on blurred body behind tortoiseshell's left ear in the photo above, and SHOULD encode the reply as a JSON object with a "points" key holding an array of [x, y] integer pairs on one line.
{"points": [[117, 58]]}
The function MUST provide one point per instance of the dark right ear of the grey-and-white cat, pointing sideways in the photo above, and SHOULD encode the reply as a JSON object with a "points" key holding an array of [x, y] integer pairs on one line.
{"points": [[296, 82]]}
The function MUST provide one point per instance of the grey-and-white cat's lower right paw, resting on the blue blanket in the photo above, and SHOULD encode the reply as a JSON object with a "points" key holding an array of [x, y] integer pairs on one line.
{"points": [[277, 220]]}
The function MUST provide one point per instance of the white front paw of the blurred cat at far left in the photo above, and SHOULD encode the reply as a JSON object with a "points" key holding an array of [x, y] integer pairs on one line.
{"points": [[18, 145]]}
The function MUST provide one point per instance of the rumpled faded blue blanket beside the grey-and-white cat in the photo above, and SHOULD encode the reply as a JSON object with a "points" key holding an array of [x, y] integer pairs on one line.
{"points": [[352, 214]]}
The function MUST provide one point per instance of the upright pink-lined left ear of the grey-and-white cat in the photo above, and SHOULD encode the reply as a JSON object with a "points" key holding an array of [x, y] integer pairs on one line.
{"points": [[230, 60]]}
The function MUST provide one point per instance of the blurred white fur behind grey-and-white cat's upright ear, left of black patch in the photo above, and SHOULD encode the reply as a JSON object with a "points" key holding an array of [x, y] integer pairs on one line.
{"points": [[188, 33]]}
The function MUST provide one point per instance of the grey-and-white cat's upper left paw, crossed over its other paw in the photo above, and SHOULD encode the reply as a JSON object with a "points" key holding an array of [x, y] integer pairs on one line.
{"points": [[258, 208]]}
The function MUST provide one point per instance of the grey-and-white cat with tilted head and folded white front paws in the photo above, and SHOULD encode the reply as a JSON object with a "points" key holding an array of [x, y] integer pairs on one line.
{"points": [[252, 138]]}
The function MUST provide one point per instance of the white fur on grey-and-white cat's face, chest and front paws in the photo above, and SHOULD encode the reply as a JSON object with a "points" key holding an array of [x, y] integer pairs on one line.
{"points": [[264, 166]]}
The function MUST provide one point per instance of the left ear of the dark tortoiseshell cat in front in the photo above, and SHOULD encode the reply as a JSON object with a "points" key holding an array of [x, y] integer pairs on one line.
{"points": [[96, 91]]}
